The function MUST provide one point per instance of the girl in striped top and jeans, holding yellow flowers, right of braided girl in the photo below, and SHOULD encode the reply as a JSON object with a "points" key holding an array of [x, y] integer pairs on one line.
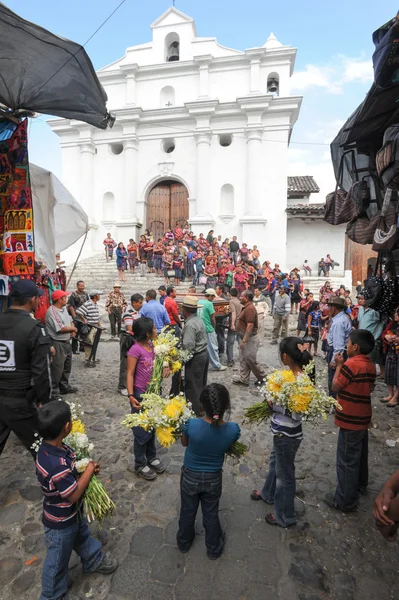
{"points": [[279, 488]]}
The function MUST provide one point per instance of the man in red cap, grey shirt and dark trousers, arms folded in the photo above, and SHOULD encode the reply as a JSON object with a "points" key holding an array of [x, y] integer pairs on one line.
{"points": [[60, 327]]}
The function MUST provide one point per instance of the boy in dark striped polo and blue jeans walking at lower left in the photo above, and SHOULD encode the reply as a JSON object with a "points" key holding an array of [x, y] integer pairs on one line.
{"points": [[65, 526]]}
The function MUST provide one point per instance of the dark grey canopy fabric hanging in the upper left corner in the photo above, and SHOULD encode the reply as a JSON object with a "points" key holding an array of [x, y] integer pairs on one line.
{"points": [[41, 72]]}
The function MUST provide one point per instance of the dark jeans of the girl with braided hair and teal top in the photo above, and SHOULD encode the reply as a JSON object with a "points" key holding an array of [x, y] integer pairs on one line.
{"points": [[196, 487]]}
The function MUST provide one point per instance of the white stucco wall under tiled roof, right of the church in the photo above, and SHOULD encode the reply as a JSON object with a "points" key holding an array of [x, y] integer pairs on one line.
{"points": [[313, 240]]}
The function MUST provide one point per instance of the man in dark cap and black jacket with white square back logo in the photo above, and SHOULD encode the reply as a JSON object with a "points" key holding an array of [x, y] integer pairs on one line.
{"points": [[24, 365]]}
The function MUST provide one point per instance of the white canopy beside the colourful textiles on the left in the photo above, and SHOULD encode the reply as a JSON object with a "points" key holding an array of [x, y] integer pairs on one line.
{"points": [[59, 220]]}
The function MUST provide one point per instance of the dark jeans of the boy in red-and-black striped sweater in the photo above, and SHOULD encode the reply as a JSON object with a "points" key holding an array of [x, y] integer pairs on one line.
{"points": [[352, 467]]}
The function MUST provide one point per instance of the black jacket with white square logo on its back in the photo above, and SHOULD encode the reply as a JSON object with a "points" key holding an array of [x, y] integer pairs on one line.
{"points": [[24, 355]]}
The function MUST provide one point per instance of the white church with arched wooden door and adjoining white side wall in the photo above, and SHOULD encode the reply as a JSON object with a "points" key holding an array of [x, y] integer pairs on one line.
{"points": [[201, 135]]}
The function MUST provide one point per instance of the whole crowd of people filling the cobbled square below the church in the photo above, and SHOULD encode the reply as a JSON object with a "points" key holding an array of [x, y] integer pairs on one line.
{"points": [[35, 370]]}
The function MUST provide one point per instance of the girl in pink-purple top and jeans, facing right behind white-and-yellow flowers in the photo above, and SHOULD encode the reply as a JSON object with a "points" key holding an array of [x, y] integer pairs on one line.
{"points": [[140, 363]]}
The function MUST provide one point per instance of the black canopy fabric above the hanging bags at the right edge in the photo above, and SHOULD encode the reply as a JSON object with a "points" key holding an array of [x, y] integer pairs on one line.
{"points": [[354, 149]]}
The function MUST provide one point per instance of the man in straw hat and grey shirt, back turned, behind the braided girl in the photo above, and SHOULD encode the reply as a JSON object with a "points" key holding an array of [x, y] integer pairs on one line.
{"points": [[195, 339]]}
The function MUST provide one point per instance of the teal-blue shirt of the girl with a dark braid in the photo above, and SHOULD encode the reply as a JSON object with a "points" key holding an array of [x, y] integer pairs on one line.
{"points": [[207, 445]]}
